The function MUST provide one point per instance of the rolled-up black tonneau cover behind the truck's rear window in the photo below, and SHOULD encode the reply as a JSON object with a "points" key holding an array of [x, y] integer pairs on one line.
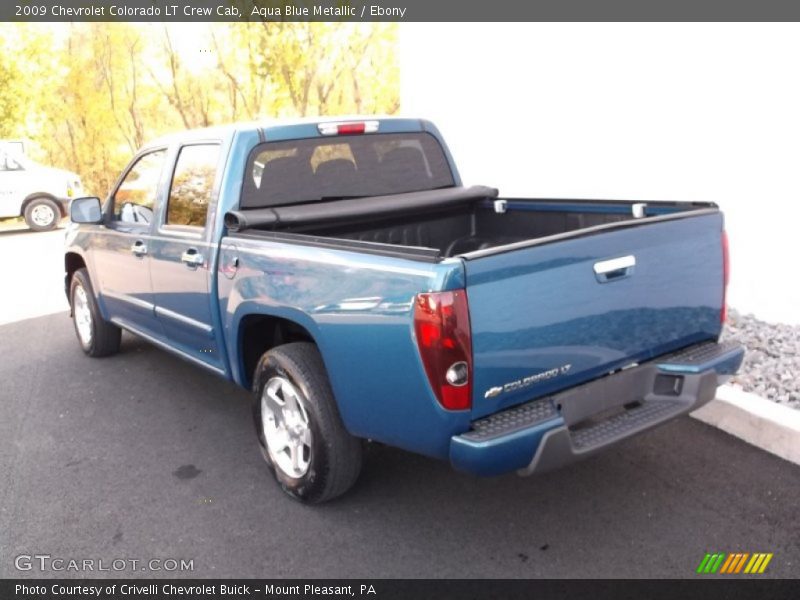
{"points": [[374, 206]]}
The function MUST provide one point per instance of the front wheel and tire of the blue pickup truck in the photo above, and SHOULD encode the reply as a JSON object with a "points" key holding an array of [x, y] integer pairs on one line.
{"points": [[96, 336]]}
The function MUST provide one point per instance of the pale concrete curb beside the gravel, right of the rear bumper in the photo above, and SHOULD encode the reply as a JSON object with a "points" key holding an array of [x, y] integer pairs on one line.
{"points": [[760, 422]]}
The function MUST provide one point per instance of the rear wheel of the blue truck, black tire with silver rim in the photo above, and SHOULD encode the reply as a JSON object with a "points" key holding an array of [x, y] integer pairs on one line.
{"points": [[303, 441]]}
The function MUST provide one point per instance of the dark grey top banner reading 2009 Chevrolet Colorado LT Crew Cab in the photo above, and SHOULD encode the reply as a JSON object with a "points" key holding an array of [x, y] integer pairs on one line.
{"points": [[398, 10]]}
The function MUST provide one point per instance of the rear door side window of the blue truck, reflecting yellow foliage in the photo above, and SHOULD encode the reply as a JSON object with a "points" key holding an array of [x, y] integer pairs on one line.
{"points": [[192, 185]]}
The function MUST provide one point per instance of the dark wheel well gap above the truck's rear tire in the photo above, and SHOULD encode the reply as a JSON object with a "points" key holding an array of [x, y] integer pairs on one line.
{"points": [[260, 333]]}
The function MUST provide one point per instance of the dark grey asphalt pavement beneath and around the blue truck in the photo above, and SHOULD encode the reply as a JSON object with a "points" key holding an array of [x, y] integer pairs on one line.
{"points": [[142, 456]]}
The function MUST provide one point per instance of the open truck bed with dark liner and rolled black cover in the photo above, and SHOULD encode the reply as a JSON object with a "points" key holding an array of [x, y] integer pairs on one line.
{"points": [[438, 224]]}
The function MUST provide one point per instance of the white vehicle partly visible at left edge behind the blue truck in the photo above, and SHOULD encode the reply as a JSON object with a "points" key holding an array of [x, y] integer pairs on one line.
{"points": [[38, 193]]}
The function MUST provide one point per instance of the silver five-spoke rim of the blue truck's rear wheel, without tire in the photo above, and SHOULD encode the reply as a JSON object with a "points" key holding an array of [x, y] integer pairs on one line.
{"points": [[284, 422]]}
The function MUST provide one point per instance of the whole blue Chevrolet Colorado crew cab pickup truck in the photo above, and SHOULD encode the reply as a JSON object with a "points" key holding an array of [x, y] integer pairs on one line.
{"points": [[342, 272]]}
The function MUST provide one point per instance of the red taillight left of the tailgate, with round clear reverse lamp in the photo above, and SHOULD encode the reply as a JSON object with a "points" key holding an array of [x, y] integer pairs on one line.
{"points": [[441, 323]]}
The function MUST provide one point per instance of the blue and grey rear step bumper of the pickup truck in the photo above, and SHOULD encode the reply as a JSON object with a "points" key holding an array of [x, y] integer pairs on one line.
{"points": [[551, 432]]}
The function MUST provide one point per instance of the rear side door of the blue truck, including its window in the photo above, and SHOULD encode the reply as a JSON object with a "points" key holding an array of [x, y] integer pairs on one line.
{"points": [[182, 254]]}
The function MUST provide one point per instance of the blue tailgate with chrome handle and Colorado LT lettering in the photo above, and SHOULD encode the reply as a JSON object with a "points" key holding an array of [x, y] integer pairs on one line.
{"points": [[558, 314]]}
